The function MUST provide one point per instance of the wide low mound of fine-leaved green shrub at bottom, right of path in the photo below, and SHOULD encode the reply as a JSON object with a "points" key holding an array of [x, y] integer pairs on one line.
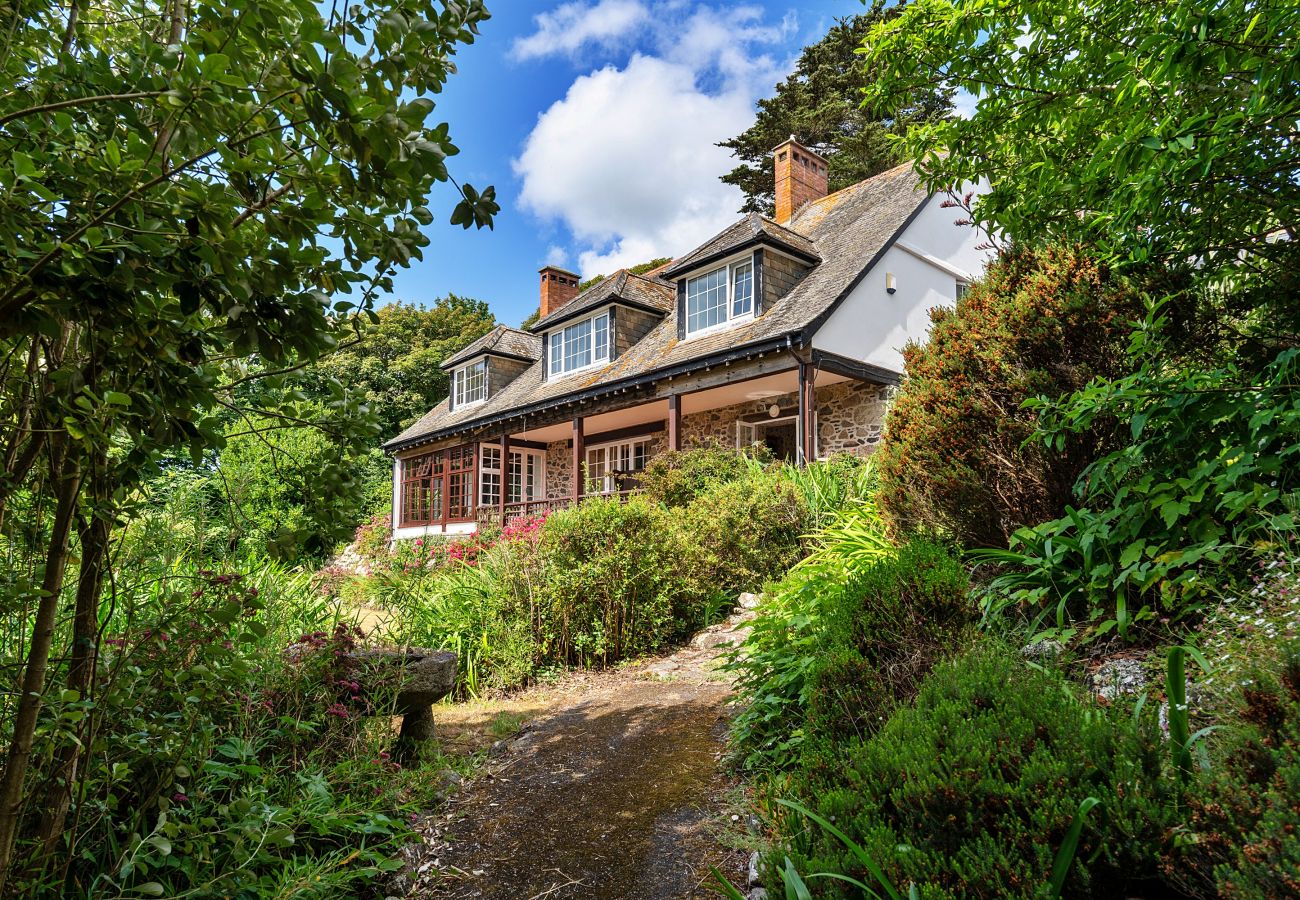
{"points": [[972, 790]]}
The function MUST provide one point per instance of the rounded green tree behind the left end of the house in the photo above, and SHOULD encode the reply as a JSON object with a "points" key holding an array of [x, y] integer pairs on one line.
{"points": [[395, 362]]}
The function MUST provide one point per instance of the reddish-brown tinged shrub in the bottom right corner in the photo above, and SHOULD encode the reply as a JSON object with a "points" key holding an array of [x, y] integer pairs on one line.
{"points": [[1246, 815]]}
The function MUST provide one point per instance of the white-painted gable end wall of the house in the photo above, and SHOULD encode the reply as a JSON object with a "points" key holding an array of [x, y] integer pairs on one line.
{"points": [[873, 326]]}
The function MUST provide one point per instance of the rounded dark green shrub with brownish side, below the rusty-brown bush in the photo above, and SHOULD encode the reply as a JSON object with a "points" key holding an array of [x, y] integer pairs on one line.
{"points": [[885, 635]]}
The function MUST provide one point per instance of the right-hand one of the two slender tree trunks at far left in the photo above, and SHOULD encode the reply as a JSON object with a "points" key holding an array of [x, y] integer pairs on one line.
{"points": [[94, 535]]}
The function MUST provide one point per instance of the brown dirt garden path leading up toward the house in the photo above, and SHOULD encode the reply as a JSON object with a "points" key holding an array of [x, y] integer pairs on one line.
{"points": [[616, 791]]}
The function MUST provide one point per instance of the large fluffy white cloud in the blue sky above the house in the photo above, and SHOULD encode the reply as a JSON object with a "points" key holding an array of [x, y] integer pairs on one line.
{"points": [[627, 159]]}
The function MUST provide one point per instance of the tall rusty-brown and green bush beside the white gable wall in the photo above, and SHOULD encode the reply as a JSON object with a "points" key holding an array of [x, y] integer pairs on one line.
{"points": [[957, 455]]}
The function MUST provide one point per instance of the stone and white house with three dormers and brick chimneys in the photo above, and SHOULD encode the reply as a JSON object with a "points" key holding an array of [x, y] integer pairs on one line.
{"points": [[787, 332]]}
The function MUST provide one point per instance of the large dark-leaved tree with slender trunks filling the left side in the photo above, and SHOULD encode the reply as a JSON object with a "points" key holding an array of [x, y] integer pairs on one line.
{"points": [[185, 185]]}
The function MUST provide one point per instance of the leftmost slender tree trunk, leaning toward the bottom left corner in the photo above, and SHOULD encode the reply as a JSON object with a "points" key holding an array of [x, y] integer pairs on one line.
{"points": [[66, 478]]}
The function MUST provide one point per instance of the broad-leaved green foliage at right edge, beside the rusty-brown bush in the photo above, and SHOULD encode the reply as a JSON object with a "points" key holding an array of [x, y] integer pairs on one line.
{"points": [[1211, 471]]}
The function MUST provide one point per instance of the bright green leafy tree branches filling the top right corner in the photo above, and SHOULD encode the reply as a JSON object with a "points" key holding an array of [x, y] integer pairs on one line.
{"points": [[1154, 131]]}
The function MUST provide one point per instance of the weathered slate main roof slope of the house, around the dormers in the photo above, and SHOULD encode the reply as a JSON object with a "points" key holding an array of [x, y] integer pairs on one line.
{"points": [[848, 231]]}
